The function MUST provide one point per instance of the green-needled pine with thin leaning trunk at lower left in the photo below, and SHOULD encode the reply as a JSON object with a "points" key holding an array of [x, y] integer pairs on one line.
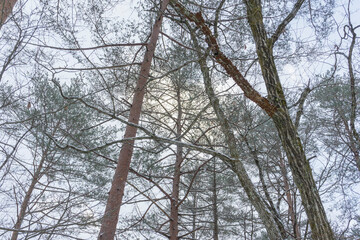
{"points": [[48, 200]]}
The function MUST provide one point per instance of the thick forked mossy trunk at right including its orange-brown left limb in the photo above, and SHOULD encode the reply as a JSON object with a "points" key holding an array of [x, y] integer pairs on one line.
{"points": [[275, 106]]}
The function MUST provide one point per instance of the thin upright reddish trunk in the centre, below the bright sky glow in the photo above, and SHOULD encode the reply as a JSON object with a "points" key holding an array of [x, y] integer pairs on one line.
{"points": [[174, 221]]}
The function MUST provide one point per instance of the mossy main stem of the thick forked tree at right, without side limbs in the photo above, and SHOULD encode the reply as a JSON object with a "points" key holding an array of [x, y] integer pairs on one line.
{"points": [[292, 145]]}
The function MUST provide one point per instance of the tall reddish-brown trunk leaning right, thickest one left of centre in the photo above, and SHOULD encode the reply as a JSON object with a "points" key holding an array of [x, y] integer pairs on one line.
{"points": [[111, 215]]}
